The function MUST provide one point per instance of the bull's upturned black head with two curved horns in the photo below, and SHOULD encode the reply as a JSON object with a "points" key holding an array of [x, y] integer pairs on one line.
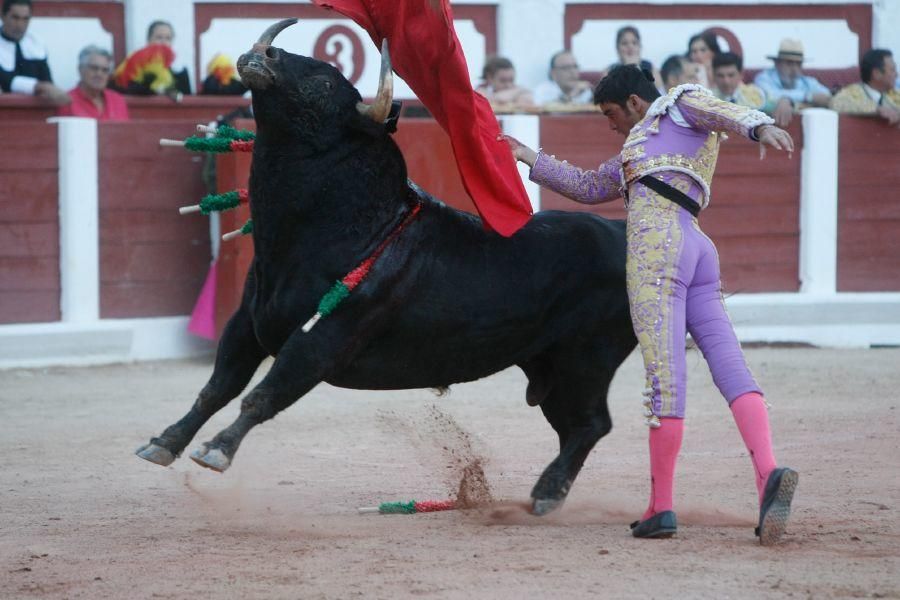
{"points": [[300, 92]]}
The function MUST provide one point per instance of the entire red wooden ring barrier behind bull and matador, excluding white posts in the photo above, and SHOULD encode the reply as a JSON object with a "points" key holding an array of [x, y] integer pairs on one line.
{"points": [[153, 261]]}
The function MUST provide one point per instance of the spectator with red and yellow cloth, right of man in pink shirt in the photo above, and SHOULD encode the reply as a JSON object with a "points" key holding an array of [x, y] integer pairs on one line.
{"points": [[149, 71]]}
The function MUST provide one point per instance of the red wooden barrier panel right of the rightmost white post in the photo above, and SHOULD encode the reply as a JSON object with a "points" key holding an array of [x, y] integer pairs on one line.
{"points": [[868, 206]]}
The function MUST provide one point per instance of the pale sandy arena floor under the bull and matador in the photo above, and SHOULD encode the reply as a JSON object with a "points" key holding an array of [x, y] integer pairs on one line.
{"points": [[82, 517]]}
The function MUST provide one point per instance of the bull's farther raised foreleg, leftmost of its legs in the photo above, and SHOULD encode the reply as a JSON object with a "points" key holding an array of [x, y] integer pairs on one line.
{"points": [[237, 358]]}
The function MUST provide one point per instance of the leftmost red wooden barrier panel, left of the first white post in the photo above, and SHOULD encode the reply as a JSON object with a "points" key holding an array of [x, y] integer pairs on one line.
{"points": [[29, 224]]}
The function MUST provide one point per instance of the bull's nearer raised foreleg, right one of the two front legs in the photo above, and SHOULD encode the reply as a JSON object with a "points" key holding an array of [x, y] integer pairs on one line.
{"points": [[304, 361]]}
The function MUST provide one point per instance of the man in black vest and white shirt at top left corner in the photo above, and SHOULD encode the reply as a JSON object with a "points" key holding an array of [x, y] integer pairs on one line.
{"points": [[23, 59]]}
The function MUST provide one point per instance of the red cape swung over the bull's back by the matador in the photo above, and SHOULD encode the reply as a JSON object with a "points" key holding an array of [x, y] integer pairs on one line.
{"points": [[426, 53]]}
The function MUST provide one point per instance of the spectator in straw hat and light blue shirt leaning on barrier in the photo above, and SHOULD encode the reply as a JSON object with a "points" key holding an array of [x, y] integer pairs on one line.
{"points": [[787, 87]]}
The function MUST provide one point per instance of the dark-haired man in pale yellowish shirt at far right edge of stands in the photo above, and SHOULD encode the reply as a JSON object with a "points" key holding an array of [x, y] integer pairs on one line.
{"points": [[876, 93]]}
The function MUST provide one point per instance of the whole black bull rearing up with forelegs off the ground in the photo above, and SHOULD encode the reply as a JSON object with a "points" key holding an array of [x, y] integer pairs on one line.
{"points": [[446, 302]]}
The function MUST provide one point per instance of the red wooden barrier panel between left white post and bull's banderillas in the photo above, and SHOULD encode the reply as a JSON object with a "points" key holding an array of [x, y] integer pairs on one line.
{"points": [[153, 261]]}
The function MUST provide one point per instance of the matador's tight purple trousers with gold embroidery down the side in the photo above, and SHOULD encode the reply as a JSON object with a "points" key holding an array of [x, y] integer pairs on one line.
{"points": [[674, 288]]}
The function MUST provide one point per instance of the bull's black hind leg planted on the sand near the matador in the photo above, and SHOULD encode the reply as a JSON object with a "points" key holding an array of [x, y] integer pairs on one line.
{"points": [[578, 412]]}
